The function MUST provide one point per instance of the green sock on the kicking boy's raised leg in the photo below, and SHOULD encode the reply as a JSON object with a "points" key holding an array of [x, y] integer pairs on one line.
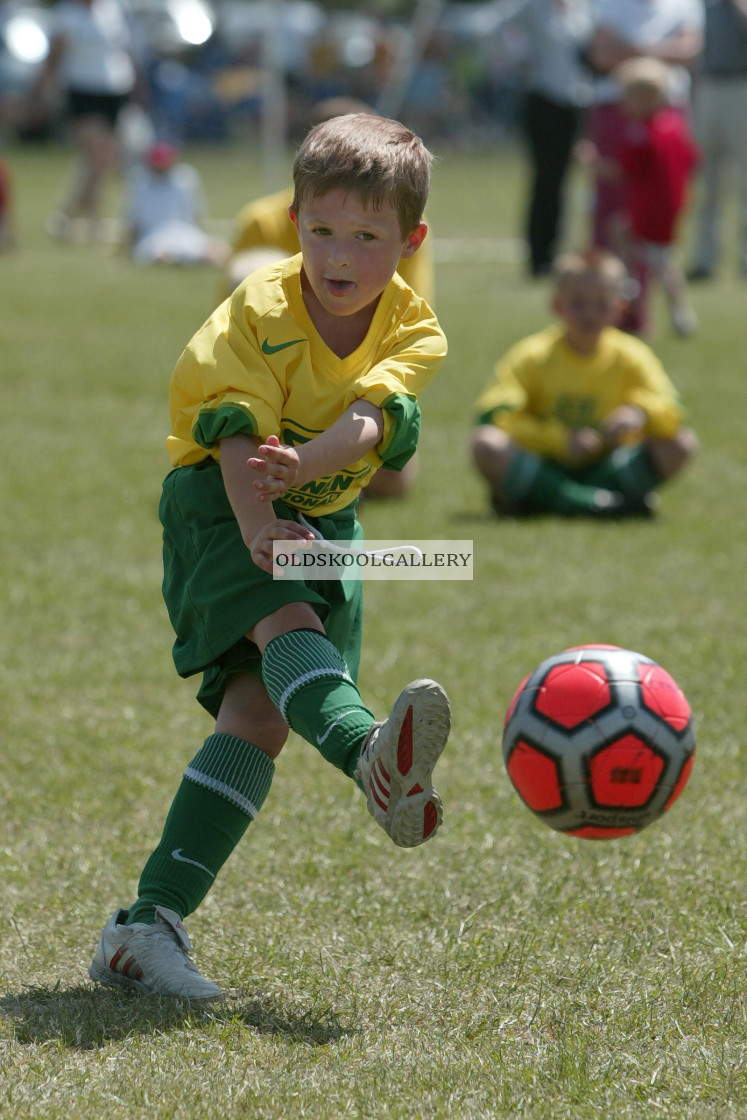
{"points": [[313, 690]]}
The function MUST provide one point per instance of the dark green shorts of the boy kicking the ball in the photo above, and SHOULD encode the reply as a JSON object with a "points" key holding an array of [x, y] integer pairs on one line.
{"points": [[216, 593]]}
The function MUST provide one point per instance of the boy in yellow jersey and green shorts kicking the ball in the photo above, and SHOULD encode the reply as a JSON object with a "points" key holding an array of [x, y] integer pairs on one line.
{"points": [[283, 407]]}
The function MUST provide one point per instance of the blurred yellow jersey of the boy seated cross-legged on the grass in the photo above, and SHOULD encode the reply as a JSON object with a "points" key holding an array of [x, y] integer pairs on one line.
{"points": [[544, 389]]}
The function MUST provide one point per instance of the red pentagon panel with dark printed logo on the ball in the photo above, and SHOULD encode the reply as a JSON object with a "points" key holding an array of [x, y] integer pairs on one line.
{"points": [[625, 774]]}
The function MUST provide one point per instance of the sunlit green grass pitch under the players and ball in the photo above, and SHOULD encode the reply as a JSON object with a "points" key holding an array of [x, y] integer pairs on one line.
{"points": [[503, 972]]}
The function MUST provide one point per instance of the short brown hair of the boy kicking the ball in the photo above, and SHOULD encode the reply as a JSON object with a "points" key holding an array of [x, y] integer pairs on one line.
{"points": [[380, 160]]}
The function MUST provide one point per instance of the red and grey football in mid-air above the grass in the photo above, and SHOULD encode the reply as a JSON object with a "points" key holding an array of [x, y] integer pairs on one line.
{"points": [[600, 742]]}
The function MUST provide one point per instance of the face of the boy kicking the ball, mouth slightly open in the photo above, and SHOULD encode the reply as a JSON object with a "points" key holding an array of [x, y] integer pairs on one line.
{"points": [[351, 251]]}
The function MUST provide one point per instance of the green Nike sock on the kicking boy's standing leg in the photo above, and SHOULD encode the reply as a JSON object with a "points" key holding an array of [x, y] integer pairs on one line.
{"points": [[222, 791]]}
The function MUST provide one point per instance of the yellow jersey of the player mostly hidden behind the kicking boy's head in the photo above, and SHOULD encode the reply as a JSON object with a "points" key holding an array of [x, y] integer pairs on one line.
{"points": [[265, 223]]}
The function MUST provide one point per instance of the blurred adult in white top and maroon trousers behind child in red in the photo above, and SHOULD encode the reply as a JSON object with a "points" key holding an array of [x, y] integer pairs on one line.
{"points": [[670, 31]]}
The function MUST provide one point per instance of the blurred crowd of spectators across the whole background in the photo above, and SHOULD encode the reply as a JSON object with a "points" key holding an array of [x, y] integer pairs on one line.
{"points": [[462, 73]]}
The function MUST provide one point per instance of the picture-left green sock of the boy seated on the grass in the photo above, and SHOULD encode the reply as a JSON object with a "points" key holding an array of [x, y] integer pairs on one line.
{"points": [[534, 484]]}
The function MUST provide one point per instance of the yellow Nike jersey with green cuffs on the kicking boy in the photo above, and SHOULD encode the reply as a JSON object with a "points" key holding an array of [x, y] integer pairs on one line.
{"points": [[259, 367]]}
